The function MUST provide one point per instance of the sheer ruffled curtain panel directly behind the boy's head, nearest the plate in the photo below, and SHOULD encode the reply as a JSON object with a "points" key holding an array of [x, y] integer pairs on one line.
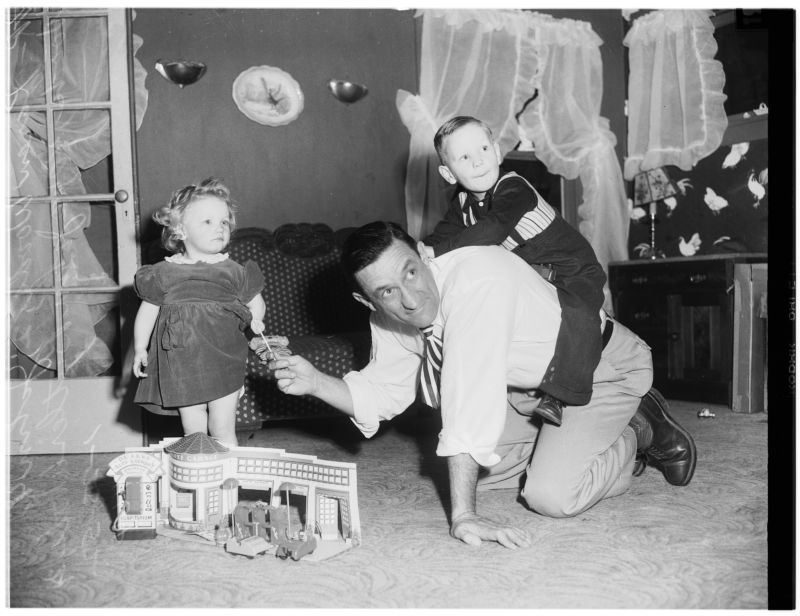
{"points": [[474, 62]]}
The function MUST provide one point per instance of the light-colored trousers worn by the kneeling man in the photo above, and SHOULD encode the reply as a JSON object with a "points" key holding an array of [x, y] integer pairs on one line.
{"points": [[591, 455]]}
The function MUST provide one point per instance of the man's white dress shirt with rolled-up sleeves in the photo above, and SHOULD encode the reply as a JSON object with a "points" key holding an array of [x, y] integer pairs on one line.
{"points": [[500, 321]]}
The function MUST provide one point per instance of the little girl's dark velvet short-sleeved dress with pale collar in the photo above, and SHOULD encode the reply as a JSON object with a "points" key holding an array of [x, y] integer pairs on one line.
{"points": [[198, 349]]}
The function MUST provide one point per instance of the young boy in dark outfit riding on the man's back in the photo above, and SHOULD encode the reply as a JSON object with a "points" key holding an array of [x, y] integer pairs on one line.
{"points": [[494, 207]]}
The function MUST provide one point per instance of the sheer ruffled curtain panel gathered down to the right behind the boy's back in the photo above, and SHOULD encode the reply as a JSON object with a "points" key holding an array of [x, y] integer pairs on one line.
{"points": [[571, 137]]}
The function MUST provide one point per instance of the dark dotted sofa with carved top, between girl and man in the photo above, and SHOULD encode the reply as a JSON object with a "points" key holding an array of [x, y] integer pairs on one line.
{"points": [[308, 301]]}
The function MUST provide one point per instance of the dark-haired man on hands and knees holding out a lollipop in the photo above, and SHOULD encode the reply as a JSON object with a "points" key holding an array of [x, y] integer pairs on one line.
{"points": [[476, 328]]}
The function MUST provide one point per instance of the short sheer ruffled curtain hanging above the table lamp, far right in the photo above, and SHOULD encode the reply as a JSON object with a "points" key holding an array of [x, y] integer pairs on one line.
{"points": [[675, 101]]}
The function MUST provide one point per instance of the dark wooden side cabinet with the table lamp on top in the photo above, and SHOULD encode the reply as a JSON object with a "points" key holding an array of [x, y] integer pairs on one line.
{"points": [[692, 311]]}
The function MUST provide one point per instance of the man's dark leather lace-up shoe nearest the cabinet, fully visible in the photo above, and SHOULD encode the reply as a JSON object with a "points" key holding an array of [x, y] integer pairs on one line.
{"points": [[670, 448]]}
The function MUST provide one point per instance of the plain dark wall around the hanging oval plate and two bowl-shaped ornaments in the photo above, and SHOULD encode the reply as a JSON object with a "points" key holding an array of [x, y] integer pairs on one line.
{"points": [[338, 164]]}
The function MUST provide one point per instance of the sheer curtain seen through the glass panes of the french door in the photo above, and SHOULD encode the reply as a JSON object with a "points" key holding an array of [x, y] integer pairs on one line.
{"points": [[82, 140]]}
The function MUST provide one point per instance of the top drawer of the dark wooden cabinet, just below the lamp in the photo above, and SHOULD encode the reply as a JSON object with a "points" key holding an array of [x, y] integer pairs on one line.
{"points": [[706, 276]]}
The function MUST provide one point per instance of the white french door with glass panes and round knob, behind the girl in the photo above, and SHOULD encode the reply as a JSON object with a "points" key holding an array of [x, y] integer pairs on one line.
{"points": [[71, 231]]}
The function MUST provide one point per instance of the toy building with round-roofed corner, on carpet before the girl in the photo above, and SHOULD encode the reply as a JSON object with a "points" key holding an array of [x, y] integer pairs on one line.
{"points": [[195, 485]]}
